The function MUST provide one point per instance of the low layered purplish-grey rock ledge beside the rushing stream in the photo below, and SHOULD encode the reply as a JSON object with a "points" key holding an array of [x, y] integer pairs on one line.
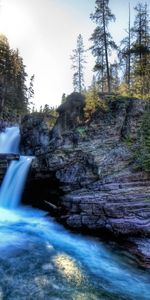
{"points": [[120, 207]]}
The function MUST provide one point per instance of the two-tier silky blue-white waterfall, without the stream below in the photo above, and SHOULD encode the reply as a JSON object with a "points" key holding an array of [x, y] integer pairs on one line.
{"points": [[14, 180]]}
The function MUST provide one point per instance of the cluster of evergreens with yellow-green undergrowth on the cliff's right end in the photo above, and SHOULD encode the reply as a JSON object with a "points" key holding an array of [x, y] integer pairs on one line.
{"points": [[134, 55]]}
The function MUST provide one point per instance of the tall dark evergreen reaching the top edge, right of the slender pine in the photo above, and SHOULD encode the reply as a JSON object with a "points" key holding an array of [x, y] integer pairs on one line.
{"points": [[102, 41]]}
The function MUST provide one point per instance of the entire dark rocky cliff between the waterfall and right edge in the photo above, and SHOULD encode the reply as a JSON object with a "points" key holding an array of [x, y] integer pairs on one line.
{"points": [[94, 166]]}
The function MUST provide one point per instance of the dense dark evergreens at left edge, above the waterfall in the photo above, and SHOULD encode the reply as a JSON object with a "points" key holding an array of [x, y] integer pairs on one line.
{"points": [[14, 94]]}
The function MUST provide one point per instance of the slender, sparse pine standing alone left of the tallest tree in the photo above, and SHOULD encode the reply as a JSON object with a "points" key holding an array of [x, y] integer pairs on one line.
{"points": [[78, 59]]}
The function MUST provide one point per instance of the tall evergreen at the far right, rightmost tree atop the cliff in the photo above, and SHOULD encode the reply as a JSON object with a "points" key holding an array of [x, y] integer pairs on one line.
{"points": [[140, 50]]}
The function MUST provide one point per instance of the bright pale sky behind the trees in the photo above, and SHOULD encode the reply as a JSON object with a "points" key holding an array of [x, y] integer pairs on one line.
{"points": [[45, 31]]}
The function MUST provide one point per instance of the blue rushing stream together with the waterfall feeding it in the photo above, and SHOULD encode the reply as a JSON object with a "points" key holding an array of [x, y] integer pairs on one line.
{"points": [[39, 259]]}
